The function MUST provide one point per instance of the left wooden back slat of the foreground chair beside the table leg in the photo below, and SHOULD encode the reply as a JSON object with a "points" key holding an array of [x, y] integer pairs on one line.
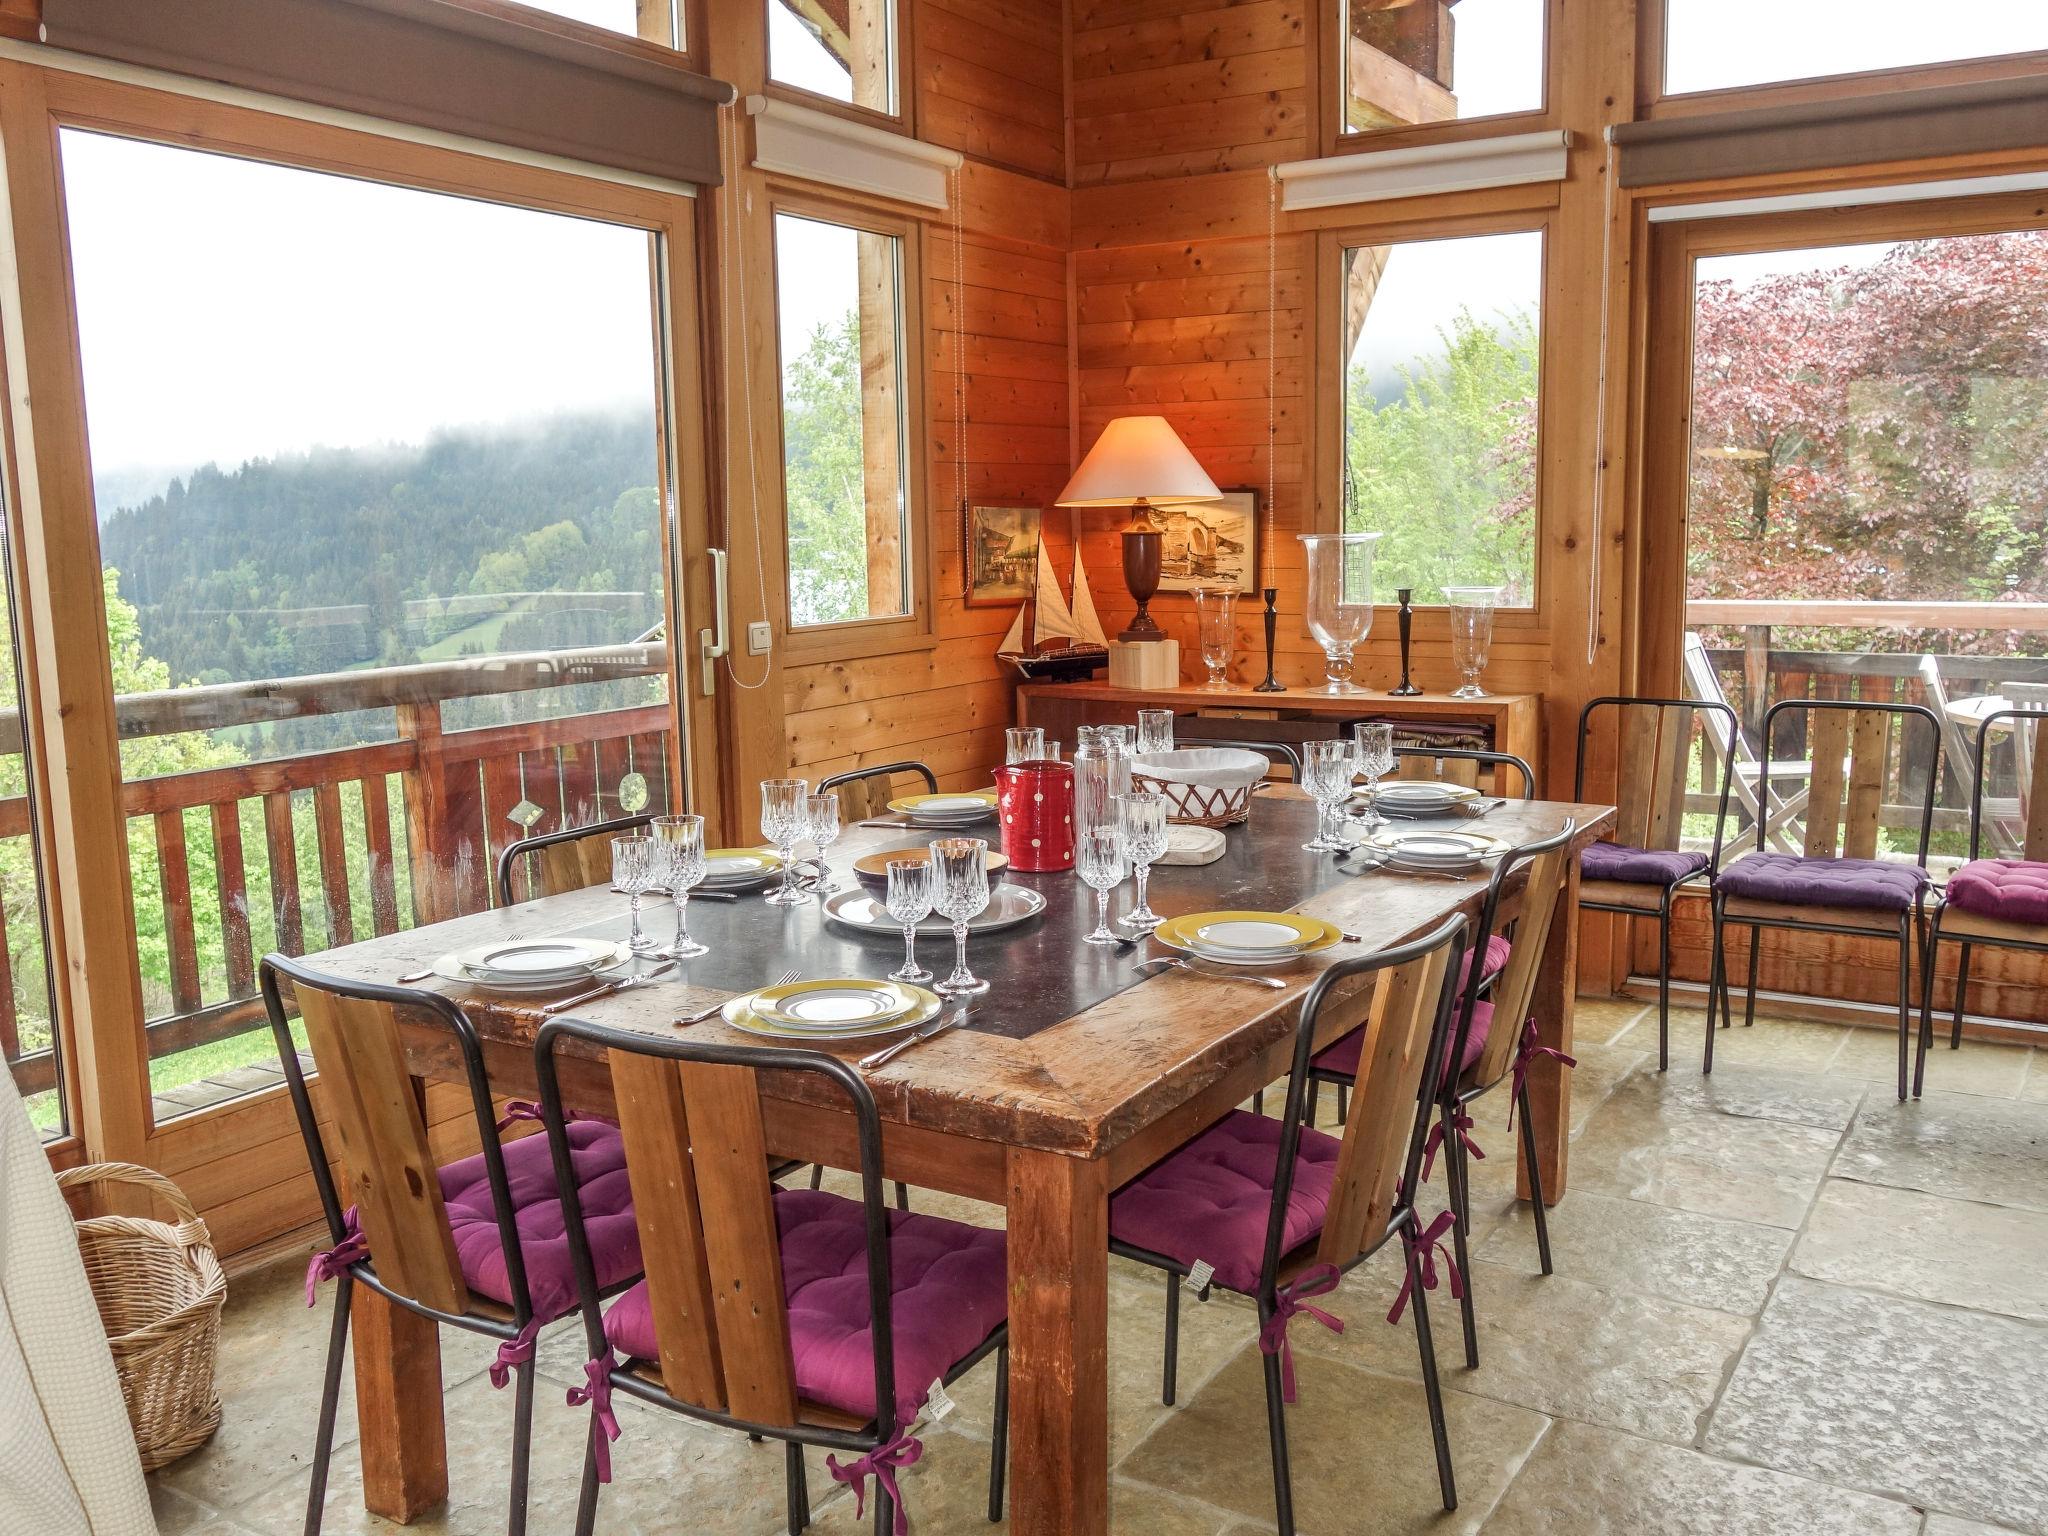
{"points": [[656, 1132]]}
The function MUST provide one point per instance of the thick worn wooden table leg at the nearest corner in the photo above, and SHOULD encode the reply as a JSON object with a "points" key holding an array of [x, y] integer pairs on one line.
{"points": [[1060, 1345]]}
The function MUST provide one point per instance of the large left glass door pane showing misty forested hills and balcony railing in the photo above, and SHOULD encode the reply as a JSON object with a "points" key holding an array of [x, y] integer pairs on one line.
{"points": [[380, 490]]}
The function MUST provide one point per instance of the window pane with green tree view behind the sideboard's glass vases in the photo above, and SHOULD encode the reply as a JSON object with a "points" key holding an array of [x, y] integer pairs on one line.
{"points": [[1441, 345]]}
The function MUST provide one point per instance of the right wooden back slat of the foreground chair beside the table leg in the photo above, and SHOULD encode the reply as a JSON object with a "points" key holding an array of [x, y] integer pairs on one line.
{"points": [[742, 1250]]}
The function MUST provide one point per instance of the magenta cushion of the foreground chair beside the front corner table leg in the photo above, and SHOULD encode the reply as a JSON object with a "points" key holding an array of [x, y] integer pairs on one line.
{"points": [[949, 1291]]}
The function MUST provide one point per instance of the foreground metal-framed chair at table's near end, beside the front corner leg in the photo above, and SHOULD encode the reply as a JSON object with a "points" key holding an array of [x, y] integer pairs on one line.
{"points": [[785, 1314]]}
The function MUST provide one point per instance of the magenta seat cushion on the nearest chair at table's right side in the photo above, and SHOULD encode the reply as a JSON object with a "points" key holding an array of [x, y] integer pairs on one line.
{"points": [[1211, 1201]]}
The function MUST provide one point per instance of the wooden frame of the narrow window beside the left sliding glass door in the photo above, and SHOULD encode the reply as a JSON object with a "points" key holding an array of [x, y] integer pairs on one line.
{"points": [[884, 634]]}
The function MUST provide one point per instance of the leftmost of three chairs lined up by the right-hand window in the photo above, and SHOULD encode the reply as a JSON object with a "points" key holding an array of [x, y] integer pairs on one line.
{"points": [[1641, 869]]}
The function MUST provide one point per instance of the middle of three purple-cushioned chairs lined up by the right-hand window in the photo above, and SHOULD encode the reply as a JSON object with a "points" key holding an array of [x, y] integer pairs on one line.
{"points": [[1838, 884]]}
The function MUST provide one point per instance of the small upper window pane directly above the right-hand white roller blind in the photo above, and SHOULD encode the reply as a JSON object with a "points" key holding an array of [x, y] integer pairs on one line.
{"points": [[1428, 62]]}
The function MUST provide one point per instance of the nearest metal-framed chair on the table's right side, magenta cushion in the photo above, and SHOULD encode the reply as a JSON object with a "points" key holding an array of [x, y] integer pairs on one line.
{"points": [[1328, 1203]]}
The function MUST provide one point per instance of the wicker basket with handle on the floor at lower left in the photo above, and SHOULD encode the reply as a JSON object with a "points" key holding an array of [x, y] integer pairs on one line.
{"points": [[161, 1293]]}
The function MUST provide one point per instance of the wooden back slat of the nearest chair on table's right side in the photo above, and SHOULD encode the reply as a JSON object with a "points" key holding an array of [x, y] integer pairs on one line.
{"points": [[1381, 1121]]}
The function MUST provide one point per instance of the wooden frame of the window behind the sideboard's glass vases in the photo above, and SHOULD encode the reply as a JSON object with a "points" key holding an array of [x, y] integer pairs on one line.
{"points": [[1326, 515]]}
